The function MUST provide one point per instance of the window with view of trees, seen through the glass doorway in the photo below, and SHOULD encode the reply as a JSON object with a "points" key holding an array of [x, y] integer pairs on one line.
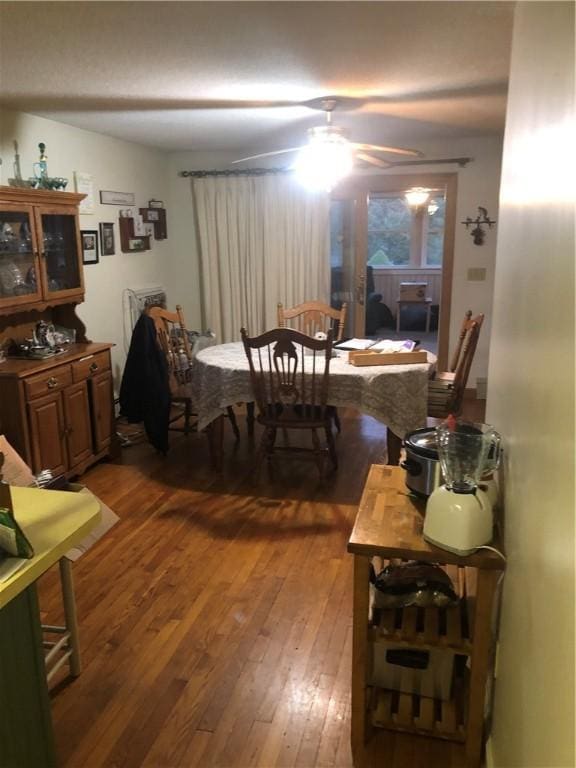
{"points": [[398, 236]]}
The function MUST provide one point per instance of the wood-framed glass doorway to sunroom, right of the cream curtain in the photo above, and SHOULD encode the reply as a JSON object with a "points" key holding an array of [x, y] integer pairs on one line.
{"points": [[392, 262]]}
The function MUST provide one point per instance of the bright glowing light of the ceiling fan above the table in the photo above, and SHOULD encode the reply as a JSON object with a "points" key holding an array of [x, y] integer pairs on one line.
{"points": [[322, 164]]}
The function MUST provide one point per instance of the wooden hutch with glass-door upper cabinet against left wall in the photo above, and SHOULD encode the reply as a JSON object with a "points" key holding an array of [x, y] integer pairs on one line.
{"points": [[57, 412]]}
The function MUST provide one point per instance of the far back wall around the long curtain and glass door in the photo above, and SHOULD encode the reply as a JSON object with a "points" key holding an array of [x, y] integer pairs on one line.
{"points": [[478, 184]]}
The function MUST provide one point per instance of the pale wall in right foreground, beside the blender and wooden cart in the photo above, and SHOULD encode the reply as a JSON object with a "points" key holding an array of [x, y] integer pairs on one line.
{"points": [[531, 394]]}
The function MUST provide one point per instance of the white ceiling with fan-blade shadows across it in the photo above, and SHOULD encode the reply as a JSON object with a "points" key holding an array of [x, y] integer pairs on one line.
{"points": [[138, 70]]}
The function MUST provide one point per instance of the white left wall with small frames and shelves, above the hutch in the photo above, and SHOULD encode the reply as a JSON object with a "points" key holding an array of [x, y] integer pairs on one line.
{"points": [[115, 165]]}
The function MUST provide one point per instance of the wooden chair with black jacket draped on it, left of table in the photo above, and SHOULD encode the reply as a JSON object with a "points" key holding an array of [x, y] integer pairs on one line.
{"points": [[173, 339]]}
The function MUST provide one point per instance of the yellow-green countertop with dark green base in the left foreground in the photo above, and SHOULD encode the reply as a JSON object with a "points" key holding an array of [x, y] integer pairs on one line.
{"points": [[54, 521]]}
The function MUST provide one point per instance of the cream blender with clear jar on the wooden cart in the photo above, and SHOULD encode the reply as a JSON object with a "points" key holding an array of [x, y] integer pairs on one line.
{"points": [[459, 513]]}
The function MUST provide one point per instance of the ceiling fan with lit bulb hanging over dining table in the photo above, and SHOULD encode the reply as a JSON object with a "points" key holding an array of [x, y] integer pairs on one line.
{"points": [[329, 155]]}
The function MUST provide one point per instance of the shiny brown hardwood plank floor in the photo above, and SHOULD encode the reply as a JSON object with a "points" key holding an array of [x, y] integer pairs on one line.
{"points": [[216, 616]]}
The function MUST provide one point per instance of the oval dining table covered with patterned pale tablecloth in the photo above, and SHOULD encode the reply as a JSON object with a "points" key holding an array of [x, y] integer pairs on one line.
{"points": [[395, 395]]}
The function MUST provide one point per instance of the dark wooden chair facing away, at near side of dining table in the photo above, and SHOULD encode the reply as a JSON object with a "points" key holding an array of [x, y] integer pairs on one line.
{"points": [[289, 372]]}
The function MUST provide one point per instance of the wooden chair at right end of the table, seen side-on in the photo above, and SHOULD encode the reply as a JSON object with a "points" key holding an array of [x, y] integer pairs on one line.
{"points": [[446, 389]]}
